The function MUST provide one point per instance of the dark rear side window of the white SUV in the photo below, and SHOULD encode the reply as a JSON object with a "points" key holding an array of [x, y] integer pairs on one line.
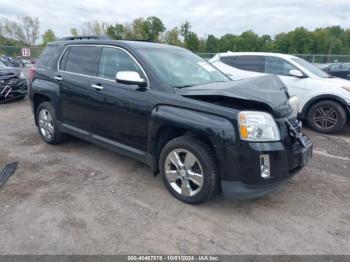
{"points": [[249, 63]]}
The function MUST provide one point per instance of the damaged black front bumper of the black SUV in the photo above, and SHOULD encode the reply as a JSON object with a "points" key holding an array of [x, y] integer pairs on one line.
{"points": [[242, 178]]}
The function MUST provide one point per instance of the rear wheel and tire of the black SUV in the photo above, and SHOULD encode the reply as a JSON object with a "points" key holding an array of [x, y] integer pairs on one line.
{"points": [[47, 124]]}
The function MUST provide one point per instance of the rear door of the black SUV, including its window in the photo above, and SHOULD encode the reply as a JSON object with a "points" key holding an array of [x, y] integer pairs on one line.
{"points": [[78, 66]]}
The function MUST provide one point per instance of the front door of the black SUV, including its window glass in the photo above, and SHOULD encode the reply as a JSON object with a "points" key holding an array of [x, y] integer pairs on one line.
{"points": [[121, 111]]}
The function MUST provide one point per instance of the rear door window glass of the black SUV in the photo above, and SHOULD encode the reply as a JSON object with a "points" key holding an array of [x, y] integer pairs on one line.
{"points": [[82, 60]]}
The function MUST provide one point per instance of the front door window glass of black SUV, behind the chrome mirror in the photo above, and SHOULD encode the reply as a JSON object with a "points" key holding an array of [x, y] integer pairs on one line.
{"points": [[114, 60]]}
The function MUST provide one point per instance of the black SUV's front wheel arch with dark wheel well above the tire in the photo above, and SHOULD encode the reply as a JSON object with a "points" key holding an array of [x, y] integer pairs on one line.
{"points": [[168, 123]]}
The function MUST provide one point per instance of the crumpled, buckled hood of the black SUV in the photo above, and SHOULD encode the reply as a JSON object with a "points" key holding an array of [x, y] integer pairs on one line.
{"points": [[266, 93]]}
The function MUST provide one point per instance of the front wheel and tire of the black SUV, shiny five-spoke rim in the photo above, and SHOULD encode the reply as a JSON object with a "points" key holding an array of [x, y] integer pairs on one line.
{"points": [[189, 171]]}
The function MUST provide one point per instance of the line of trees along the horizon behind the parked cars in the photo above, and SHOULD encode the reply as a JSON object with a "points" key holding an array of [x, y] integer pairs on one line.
{"points": [[328, 40]]}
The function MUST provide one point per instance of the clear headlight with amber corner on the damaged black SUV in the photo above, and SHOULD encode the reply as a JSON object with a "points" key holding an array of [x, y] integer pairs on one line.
{"points": [[257, 126]]}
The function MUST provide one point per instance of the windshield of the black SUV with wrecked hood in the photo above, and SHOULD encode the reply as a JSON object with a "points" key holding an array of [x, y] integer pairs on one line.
{"points": [[181, 68]]}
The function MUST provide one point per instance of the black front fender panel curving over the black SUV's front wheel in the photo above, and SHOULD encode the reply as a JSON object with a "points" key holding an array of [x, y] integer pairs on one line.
{"points": [[218, 130]]}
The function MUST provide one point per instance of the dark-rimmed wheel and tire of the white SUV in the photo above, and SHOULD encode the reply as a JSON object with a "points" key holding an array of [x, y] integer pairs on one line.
{"points": [[327, 117]]}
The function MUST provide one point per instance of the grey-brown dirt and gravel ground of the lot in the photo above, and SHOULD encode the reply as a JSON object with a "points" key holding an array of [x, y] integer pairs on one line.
{"points": [[77, 198]]}
